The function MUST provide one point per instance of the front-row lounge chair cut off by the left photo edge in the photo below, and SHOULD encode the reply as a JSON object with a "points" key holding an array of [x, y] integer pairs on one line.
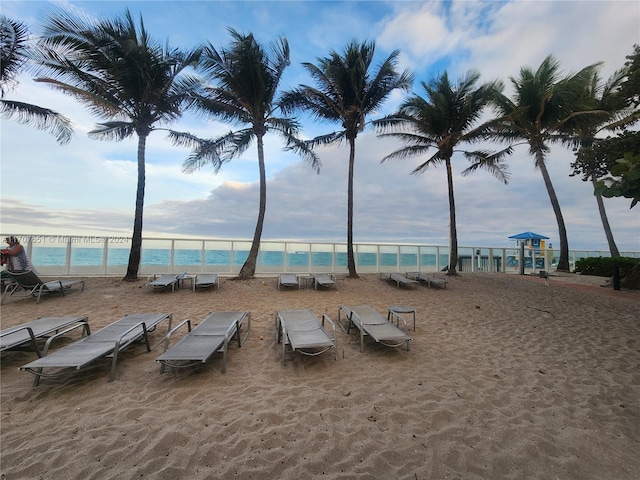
{"points": [[38, 329]]}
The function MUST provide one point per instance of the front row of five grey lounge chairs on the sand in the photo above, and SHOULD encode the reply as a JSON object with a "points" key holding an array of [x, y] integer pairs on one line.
{"points": [[298, 331]]}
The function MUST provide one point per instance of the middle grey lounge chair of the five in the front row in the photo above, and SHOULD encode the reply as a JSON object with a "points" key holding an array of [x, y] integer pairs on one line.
{"points": [[210, 336]]}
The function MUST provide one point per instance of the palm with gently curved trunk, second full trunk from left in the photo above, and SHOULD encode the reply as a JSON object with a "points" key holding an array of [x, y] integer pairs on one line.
{"points": [[246, 78]]}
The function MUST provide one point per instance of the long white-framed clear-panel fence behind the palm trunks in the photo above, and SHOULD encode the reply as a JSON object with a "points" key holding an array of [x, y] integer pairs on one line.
{"points": [[64, 255]]}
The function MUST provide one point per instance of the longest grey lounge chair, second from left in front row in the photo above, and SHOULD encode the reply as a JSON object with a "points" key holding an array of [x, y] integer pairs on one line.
{"points": [[108, 341]]}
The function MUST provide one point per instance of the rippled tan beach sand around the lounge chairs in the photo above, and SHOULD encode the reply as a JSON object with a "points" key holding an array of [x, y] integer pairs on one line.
{"points": [[506, 378]]}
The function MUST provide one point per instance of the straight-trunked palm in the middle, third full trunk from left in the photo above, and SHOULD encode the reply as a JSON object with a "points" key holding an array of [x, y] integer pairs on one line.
{"points": [[347, 93]]}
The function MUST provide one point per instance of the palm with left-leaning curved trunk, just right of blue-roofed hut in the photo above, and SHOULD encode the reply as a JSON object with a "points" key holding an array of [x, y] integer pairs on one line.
{"points": [[546, 109]]}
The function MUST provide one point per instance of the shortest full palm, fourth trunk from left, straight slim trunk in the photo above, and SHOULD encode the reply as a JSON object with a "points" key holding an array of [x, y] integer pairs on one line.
{"points": [[444, 119]]}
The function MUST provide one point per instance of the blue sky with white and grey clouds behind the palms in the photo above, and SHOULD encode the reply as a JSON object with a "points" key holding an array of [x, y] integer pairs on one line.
{"points": [[88, 187]]}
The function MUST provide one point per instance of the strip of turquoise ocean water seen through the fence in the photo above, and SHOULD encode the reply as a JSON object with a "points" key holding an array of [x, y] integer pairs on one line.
{"points": [[80, 256]]}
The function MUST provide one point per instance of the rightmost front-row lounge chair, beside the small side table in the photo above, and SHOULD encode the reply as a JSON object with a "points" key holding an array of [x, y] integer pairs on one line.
{"points": [[371, 322]]}
